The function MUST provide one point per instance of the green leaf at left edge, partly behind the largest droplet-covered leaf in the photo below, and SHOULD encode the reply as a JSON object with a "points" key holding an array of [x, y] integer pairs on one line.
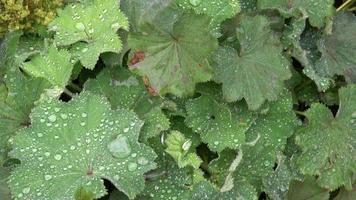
{"points": [[20, 94]]}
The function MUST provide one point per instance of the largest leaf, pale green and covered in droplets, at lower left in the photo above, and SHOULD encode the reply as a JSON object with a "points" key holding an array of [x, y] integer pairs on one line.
{"points": [[74, 146]]}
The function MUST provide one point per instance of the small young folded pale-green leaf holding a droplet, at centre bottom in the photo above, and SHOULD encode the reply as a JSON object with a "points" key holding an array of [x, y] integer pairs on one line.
{"points": [[178, 147]]}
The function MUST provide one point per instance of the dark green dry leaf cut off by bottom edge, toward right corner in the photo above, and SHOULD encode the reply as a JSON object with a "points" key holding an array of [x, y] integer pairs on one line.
{"points": [[308, 190]]}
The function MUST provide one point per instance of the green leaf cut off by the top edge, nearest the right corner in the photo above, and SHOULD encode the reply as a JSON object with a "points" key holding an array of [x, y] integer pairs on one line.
{"points": [[318, 11]]}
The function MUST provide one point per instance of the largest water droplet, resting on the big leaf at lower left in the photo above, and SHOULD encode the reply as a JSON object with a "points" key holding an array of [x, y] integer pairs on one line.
{"points": [[120, 147]]}
